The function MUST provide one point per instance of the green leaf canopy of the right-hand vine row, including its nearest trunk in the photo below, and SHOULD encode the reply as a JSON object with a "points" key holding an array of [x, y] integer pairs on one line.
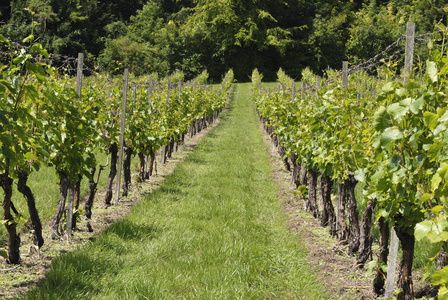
{"points": [[390, 133]]}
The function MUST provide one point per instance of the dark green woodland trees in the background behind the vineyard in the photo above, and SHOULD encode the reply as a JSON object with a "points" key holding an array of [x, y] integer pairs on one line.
{"points": [[193, 35]]}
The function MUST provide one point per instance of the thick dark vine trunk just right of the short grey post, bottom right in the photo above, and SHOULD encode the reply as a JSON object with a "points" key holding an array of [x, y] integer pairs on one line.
{"points": [[405, 276]]}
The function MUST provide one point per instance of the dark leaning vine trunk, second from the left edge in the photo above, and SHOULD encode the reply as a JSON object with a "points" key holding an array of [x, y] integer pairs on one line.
{"points": [[23, 188]]}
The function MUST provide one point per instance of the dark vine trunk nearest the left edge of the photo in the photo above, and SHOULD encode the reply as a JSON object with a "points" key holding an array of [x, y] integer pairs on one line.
{"points": [[11, 225]]}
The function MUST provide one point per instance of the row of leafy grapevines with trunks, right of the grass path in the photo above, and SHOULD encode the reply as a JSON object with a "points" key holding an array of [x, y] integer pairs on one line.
{"points": [[389, 134]]}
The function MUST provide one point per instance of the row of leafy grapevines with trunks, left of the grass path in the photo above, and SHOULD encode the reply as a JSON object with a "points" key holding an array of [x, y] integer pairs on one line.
{"points": [[45, 121]]}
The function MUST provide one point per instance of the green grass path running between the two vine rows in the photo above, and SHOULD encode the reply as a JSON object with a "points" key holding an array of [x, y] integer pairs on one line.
{"points": [[213, 230]]}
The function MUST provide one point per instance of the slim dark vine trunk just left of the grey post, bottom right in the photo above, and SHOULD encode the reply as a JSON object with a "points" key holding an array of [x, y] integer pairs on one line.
{"points": [[380, 278]]}
